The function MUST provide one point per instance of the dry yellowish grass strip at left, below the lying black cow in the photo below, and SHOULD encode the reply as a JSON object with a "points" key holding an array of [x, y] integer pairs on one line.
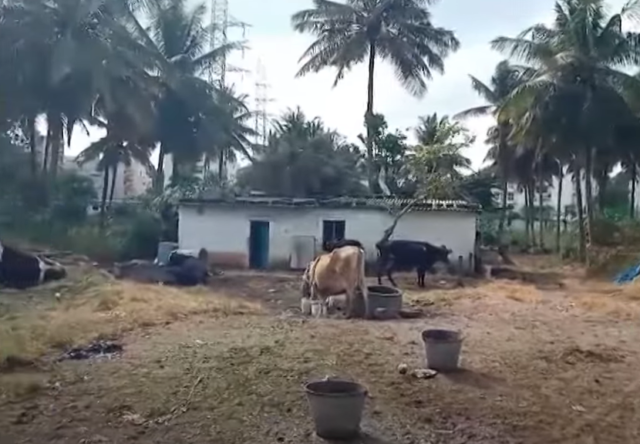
{"points": [[97, 306]]}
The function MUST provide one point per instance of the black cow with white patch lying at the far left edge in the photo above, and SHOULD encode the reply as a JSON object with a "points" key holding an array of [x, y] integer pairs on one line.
{"points": [[23, 270]]}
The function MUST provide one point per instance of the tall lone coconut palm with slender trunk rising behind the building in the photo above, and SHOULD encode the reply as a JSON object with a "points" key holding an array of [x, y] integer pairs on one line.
{"points": [[399, 31]]}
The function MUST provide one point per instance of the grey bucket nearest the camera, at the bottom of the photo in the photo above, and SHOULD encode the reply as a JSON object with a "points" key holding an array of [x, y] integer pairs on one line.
{"points": [[336, 408]]}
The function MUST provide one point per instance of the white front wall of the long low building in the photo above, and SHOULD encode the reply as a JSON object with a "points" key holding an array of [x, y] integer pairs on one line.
{"points": [[225, 231]]}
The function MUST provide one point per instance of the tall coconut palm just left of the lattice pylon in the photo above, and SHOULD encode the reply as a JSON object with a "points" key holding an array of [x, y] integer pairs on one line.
{"points": [[190, 111]]}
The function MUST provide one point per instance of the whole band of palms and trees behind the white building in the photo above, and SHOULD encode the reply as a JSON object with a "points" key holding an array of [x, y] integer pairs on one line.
{"points": [[565, 104]]}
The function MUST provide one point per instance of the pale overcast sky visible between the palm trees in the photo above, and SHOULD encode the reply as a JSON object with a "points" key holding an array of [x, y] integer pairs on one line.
{"points": [[278, 48]]}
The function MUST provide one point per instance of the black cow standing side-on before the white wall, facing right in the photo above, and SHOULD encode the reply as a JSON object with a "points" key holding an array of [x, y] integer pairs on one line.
{"points": [[404, 255]]}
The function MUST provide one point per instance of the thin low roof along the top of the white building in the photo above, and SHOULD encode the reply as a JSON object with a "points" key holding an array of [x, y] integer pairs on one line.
{"points": [[375, 202]]}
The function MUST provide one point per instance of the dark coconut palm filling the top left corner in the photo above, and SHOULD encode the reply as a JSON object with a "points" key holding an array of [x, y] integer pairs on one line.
{"points": [[61, 68]]}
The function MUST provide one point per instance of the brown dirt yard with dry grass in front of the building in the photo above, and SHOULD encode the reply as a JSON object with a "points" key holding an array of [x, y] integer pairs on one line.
{"points": [[544, 362]]}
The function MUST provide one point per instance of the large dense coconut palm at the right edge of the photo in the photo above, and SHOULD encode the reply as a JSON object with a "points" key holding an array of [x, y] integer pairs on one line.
{"points": [[577, 63]]}
